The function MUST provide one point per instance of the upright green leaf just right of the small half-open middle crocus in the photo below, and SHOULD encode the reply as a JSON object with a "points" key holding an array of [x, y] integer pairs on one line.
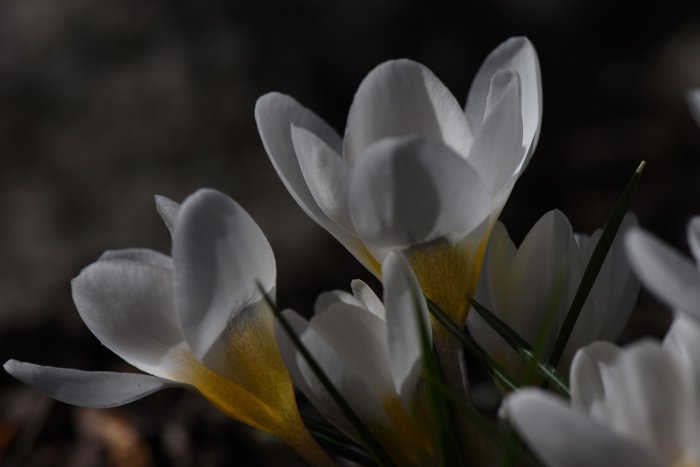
{"points": [[449, 452]]}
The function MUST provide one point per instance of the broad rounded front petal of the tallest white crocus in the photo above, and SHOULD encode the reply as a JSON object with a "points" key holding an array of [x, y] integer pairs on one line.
{"points": [[410, 191]]}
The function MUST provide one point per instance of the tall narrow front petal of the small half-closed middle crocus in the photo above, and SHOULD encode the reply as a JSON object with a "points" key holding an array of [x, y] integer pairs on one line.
{"points": [[404, 302]]}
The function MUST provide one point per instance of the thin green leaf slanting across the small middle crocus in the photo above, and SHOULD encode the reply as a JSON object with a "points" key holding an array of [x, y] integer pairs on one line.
{"points": [[374, 448]]}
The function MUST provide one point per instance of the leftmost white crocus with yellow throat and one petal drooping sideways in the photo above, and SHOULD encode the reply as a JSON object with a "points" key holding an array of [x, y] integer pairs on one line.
{"points": [[196, 320]]}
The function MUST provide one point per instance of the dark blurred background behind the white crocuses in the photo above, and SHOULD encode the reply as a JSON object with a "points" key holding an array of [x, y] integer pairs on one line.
{"points": [[105, 103]]}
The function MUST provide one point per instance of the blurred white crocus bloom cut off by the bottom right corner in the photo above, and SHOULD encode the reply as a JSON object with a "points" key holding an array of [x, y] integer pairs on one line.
{"points": [[636, 406]]}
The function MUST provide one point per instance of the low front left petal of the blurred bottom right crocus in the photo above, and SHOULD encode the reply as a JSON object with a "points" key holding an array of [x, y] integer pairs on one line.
{"points": [[563, 437]]}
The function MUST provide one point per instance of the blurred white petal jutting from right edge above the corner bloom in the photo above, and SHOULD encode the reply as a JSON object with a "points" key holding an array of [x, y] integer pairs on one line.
{"points": [[664, 271]]}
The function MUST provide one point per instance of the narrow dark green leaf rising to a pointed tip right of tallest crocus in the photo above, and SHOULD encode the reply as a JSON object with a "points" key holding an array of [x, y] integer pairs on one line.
{"points": [[594, 264]]}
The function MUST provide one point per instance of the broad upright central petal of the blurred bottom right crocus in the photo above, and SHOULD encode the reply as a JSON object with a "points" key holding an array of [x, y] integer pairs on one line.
{"points": [[651, 400]]}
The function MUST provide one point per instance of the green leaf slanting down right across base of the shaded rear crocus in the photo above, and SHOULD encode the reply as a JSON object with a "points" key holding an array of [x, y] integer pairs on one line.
{"points": [[520, 345]]}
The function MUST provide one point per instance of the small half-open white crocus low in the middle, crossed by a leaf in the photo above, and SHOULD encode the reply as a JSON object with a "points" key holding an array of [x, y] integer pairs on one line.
{"points": [[372, 354]]}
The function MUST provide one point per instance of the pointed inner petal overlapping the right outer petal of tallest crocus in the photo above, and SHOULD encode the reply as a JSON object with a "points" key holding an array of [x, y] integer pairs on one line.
{"points": [[498, 151]]}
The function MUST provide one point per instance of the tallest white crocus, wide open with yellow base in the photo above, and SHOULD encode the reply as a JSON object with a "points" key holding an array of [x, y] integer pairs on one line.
{"points": [[414, 171]]}
